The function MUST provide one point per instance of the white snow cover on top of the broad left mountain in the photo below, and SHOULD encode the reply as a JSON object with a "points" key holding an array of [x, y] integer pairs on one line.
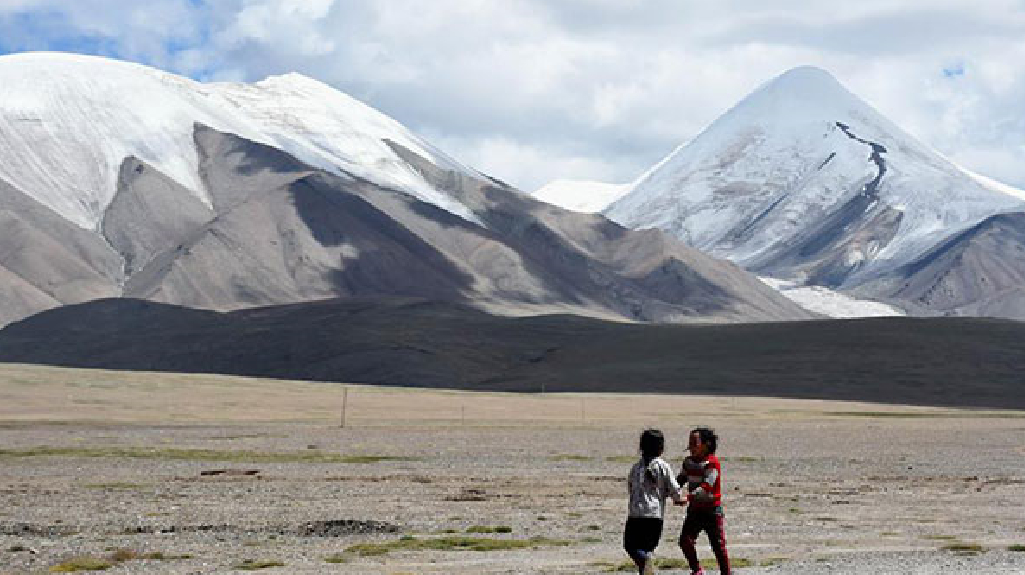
{"points": [[68, 121]]}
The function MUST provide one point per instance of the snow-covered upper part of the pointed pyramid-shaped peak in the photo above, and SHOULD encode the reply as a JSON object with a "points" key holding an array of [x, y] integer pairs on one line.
{"points": [[803, 181]]}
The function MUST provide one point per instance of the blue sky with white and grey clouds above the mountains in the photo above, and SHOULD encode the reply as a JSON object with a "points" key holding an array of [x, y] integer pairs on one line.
{"points": [[531, 91]]}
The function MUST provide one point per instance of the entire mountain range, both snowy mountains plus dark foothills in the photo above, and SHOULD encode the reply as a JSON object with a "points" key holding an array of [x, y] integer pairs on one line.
{"points": [[283, 229]]}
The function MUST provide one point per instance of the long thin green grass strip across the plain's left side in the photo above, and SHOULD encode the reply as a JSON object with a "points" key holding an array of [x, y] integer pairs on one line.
{"points": [[199, 456]]}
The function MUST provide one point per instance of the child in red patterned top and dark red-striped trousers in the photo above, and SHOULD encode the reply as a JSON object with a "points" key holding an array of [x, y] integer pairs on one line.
{"points": [[703, 476]]}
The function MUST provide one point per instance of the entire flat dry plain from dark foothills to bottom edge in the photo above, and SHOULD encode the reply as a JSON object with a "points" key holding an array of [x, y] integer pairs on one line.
{"points": [[149, 473]]}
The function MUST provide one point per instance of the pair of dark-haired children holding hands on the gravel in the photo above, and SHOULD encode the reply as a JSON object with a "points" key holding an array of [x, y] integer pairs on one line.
{"points": [[651, 483]]}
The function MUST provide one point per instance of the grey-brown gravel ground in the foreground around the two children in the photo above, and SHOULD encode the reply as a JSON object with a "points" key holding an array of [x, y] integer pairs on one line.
{"points": [[807, 492]]}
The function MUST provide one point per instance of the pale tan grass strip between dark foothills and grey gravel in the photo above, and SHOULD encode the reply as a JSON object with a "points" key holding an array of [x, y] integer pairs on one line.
{"points": [[37, 394]]}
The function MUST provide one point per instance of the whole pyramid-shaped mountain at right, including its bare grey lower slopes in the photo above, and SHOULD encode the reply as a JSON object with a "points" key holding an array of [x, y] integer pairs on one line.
{"points": [[804, 183]]}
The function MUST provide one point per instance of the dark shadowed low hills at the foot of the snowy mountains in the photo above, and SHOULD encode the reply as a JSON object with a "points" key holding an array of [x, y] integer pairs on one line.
{"points": [[960, 362]]}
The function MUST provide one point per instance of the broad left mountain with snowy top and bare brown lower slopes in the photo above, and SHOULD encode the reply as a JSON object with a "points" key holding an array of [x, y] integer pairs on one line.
{"points": [[118, 180]]}
